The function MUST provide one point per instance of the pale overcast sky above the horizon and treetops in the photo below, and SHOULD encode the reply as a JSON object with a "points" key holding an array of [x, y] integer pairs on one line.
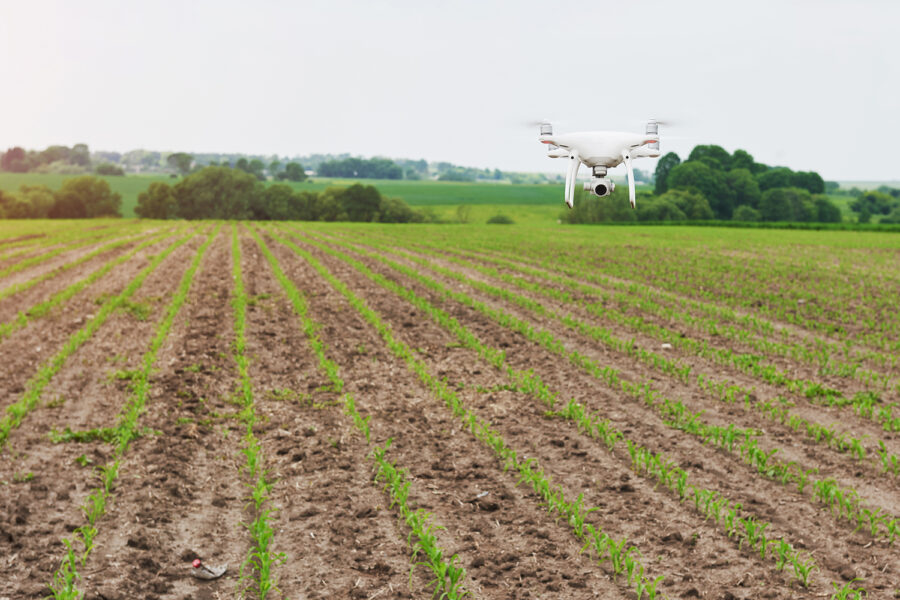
{"points": [[812, 85]]}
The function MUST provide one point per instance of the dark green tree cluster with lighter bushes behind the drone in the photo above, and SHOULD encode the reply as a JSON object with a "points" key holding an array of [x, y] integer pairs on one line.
{"points": [[713, 184]]}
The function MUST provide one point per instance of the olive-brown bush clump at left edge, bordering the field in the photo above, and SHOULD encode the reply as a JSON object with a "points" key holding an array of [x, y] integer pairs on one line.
{"points": [[77, 198]]}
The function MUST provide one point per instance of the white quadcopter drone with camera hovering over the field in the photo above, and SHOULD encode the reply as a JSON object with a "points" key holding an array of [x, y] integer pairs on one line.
{"points": [[600, 150]]}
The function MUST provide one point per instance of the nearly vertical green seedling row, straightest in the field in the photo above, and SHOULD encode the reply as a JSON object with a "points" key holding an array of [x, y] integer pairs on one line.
{"points": [[260, 558]]}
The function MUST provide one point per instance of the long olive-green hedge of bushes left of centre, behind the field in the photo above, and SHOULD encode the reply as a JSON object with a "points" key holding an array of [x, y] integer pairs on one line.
{"points": [[224, 193]]}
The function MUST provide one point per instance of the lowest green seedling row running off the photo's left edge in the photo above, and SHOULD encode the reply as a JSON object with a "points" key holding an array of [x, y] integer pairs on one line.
{"points": [[15, 413]]}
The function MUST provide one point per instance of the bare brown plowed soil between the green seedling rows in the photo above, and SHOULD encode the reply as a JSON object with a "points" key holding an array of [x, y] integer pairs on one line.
{"points": [[182, 492]]}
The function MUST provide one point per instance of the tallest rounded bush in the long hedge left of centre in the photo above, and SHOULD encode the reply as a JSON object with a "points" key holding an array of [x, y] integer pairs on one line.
{"points": [[217, 193]]}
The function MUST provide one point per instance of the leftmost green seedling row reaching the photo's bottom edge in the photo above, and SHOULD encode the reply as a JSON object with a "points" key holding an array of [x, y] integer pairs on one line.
{"points": [[64, 583]]}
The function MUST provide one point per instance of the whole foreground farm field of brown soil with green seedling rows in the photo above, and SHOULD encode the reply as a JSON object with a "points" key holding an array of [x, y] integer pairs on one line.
{"points": [[376, 411]]}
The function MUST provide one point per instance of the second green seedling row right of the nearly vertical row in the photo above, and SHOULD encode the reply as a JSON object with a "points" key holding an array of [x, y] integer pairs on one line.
{"points": [[623, 559]]}
